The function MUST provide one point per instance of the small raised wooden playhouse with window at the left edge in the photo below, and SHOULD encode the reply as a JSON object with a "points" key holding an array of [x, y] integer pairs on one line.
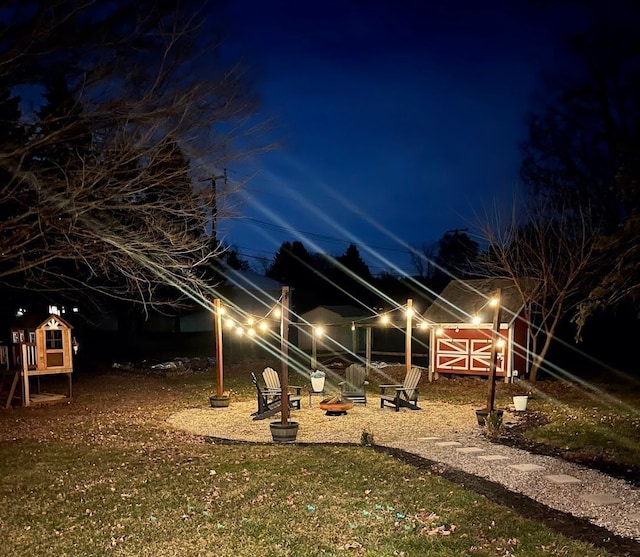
{"points": [[38, 347]]}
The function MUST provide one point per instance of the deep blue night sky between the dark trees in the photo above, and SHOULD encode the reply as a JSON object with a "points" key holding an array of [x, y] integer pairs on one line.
{"points": [[397, 120]]}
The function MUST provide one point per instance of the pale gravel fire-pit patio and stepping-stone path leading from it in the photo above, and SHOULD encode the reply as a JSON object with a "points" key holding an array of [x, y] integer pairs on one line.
{"points": [[422, 433]]}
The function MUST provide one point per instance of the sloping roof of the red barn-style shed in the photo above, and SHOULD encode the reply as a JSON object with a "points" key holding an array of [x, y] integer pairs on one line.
{"points": [[460, 301]]}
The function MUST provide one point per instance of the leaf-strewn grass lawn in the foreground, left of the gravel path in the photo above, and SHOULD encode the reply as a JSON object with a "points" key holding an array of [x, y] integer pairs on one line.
{"points": [[104, 475]]}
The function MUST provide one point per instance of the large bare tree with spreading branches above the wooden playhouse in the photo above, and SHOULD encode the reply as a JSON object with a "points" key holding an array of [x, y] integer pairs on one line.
{"points": [[102, 191]]}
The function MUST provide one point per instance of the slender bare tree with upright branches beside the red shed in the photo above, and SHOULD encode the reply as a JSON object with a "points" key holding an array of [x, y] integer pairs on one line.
{"points": [[547, 255]]}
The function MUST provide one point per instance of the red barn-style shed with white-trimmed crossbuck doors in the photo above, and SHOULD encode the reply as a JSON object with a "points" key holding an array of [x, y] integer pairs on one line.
{"points": [[461, 329]]}
